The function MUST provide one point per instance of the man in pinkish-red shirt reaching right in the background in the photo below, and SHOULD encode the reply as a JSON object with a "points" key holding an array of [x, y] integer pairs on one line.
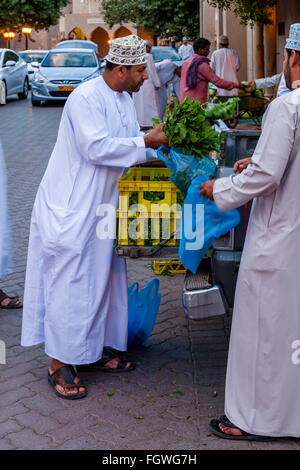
{"points": [[196, 74]]}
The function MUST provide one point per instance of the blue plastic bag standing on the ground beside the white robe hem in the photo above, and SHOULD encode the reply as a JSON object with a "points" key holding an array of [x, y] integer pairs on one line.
{"points": [[143, 306]]}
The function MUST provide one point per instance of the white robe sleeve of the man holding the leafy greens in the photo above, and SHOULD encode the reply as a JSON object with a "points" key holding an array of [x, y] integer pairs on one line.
{"points": [[94, 142]]}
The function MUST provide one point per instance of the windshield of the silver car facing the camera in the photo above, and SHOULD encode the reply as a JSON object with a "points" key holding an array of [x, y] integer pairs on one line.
{"points": [[69, 59]]}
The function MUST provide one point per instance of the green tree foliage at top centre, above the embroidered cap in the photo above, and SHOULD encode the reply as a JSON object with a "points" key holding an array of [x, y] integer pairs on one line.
{"points": [[164, 18]]}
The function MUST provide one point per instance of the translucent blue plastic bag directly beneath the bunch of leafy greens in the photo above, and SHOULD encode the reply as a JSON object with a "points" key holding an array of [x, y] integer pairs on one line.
{"points": [[184, 168]]}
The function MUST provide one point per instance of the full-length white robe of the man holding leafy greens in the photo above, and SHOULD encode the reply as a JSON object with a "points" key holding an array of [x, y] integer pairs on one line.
{"points": [[75, 298]]}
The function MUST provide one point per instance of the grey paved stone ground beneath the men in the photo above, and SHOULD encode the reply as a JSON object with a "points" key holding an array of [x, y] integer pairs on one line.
{"points": [[165, 404]]}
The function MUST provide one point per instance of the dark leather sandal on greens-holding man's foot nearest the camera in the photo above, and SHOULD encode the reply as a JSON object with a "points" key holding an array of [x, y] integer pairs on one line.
{"points": [[64, 376]]}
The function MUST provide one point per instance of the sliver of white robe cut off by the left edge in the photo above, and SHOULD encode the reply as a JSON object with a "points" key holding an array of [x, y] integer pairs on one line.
{"points": [[6, 264]]}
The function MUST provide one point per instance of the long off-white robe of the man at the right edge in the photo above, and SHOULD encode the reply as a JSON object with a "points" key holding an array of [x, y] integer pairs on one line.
{"points": [[263, 372]]}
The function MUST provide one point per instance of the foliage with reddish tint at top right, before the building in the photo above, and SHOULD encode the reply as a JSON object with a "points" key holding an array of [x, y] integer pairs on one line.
{"points": [[249, 11]]}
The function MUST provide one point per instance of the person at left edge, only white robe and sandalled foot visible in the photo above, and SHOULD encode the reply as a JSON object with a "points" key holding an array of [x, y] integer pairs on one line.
{"points": [[6, 263]]}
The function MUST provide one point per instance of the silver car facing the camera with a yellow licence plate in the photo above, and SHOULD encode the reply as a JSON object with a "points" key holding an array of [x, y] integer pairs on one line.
{"points": [[61, 71]]}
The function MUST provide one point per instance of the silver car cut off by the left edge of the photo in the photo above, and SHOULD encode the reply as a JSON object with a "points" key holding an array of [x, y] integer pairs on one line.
{"points": [[13, 74]]}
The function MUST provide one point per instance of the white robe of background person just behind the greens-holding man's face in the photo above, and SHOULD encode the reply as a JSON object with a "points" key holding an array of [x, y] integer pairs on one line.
{"points": [[146, 99]]}
